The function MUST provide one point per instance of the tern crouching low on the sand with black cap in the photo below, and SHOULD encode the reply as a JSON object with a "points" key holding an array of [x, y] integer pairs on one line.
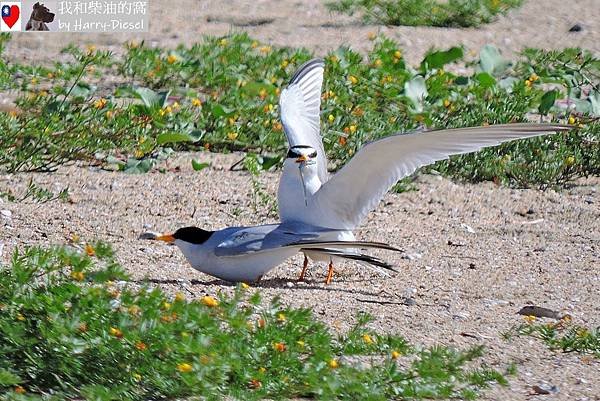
{"points": [[244, 254]]}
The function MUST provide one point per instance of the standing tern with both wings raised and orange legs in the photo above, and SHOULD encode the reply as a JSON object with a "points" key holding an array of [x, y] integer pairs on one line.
{"points": [[309, 194]]}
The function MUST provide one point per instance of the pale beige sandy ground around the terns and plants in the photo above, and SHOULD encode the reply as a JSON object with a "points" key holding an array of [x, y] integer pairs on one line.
{"points": [[524, 246]]}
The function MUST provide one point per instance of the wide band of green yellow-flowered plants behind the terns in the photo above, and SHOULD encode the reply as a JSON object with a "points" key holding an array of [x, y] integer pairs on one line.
{"points": [[222, 94]]}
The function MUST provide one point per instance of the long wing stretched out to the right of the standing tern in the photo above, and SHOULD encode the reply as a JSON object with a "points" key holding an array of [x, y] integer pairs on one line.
{"points": [[348, 196]]}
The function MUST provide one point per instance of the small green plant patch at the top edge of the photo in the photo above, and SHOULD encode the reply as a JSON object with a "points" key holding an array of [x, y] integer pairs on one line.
{"points": [[451, 13]]}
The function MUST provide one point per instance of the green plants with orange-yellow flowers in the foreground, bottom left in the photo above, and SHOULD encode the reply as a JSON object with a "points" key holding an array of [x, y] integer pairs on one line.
{"points": [[71, 326]]}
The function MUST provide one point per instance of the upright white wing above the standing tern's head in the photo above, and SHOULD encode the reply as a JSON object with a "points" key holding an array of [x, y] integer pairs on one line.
{"points": [[300, 105]]}
